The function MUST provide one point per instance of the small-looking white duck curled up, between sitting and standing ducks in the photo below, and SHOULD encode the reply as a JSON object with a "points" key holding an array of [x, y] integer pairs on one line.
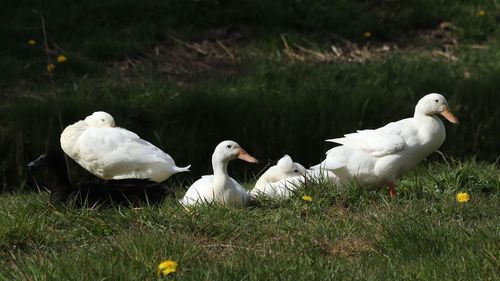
{"points": [[280, 180]]}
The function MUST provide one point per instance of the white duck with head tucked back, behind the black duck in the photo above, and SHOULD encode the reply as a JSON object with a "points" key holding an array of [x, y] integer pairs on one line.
{"points": [[113, 153]]}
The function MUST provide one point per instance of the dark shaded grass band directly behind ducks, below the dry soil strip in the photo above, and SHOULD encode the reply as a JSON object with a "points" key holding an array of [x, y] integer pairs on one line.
{"points": [[270, 108]]}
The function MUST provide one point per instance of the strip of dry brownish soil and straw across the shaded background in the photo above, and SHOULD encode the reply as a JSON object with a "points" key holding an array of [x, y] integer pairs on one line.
{"points": [[218, 52]]}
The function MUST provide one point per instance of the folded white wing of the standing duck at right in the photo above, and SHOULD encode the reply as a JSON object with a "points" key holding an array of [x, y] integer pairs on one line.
{"points": [[379, 142]]}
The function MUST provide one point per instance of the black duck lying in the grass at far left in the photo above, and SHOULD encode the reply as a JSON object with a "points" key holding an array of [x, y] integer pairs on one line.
{"points": [[126, 191]]}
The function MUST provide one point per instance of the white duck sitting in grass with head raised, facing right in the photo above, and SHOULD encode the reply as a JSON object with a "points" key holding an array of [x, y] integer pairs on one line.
{"points": [[219, 187]]}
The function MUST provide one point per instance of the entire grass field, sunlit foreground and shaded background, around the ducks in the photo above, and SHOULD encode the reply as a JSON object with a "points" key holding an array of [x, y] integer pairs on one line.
{"points": [[278, 77]]}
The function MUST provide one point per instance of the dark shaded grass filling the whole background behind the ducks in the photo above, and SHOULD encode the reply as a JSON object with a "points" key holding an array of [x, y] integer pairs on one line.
{"points": [[267, 102]]}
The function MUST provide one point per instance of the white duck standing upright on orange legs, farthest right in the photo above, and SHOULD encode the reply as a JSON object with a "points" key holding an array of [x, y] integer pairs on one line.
{"points": [[379, 156]]}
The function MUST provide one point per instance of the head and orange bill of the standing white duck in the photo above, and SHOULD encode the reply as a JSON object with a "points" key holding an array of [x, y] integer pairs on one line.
{"points": [[434, 104]]}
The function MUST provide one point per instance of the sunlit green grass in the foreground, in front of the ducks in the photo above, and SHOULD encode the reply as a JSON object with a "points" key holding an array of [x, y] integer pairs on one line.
{"points": [[343, 234]]}
